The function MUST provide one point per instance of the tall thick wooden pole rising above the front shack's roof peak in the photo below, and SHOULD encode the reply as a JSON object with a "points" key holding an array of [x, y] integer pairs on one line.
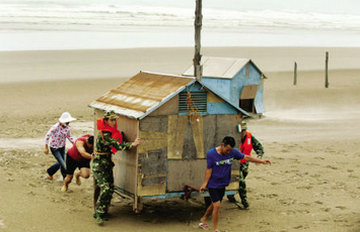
{"points": [[197, 55]]}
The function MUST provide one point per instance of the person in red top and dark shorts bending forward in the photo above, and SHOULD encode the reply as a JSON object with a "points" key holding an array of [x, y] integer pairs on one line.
{"points": [[79, 156]]}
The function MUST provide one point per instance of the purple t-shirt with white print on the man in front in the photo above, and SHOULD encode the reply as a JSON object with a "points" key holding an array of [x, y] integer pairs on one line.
{"points": [[221, 167]]}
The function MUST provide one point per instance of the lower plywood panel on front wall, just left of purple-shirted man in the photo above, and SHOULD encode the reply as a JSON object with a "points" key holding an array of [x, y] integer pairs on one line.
{"points": [[185, 172]]}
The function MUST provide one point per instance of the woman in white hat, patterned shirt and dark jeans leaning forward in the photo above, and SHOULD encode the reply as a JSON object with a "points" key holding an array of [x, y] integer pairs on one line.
{"points": [[58, 134]]}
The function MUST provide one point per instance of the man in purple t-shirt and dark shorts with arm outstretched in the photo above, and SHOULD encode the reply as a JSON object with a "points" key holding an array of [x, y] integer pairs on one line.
{"points": [[218, 174]]}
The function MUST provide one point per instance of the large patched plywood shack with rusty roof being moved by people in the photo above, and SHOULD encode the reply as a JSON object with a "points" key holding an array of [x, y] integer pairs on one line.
{"points": [[178, 120]]}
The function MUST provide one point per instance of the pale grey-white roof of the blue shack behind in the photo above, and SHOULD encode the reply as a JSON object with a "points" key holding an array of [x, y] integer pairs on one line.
{"points": [[219, 67]]}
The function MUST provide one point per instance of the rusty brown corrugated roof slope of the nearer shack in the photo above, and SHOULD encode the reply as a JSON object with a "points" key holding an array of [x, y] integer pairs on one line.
{"points": [[142, 94]]}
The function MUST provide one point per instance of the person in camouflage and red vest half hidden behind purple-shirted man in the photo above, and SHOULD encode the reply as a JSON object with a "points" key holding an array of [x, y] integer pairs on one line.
{"points": [[248, 143]]}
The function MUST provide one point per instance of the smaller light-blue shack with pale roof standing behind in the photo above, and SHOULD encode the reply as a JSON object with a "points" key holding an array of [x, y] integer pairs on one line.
{"points": [[238, 80]]}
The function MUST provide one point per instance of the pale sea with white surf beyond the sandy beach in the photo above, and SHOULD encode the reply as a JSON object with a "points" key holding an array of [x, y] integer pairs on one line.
{"points": [[92, 24]]}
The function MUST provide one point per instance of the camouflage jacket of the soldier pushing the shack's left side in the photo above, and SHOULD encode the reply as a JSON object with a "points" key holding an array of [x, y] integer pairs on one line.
{"points": [[105, 142]]}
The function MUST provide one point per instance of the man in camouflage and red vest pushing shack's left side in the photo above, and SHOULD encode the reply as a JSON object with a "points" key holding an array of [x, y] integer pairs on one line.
{"points": [[102, 166]]}
